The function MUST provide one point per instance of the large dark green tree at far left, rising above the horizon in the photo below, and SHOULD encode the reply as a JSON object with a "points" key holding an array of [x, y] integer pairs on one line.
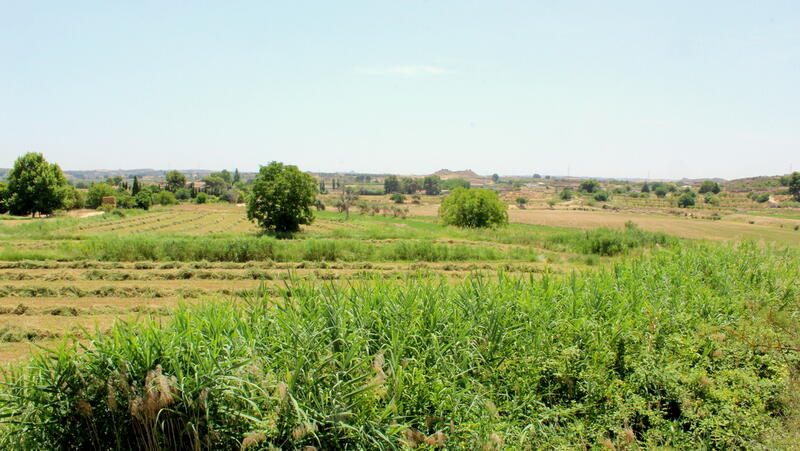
{"points": [[35, 186]]}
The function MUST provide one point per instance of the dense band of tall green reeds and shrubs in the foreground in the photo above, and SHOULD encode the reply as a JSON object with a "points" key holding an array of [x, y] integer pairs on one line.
{"points": [[643, 356]]}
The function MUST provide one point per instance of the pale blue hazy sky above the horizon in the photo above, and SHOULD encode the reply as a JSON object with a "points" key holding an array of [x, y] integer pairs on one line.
{"points": [[608, 88]]}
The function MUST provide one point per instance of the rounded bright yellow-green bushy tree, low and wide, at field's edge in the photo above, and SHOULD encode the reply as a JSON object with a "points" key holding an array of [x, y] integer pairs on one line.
{"points": [[473, 208]]}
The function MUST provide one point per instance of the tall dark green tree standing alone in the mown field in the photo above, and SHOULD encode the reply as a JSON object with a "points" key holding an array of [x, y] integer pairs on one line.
{"points": [[282, 198]]}
